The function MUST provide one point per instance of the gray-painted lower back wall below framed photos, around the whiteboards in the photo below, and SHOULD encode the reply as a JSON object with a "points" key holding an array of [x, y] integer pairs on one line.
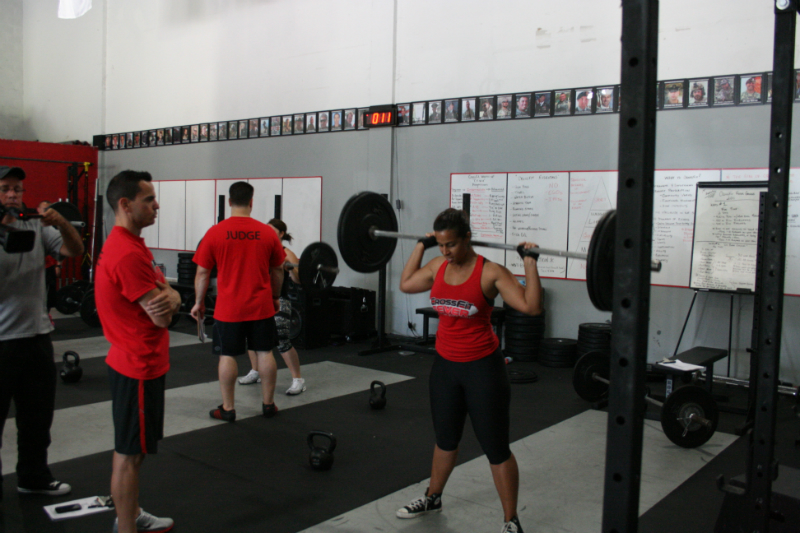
{"points": [[424, 158]]}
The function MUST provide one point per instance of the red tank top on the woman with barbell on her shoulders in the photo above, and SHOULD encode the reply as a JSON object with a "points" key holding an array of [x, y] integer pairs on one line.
{"points": [[465, 329]]}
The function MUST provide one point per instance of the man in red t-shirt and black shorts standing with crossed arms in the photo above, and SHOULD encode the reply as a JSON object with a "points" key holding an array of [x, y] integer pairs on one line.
{"points": [[135, 305]]}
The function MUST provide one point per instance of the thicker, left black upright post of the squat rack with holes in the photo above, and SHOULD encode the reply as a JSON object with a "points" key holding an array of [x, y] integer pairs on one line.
{"points": [[633, 244]]}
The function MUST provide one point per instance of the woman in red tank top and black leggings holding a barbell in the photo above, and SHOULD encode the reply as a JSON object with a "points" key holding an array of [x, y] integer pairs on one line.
{"points": [[469, 374]]}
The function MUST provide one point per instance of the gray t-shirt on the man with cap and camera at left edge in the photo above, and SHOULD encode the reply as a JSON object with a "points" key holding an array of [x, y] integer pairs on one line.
{"points": [[23, 311]]}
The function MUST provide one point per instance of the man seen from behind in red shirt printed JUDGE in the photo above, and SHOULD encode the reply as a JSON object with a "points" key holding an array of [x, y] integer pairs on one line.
{"points": [[249, 260]]}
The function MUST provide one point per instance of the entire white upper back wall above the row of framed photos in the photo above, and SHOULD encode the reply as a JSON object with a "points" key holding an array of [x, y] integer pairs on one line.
{"points": [[190, 61]]}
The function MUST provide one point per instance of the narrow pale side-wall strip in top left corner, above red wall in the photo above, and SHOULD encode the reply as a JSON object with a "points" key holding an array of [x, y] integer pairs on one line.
{"points": [[10, 68]]}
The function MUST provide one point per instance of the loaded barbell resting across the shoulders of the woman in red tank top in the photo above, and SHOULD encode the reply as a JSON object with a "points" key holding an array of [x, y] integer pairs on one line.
{"points": [[367, 236]]}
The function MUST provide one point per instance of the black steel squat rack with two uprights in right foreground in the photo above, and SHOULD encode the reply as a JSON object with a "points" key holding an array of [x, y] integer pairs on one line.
{"points": [[632, 277]]}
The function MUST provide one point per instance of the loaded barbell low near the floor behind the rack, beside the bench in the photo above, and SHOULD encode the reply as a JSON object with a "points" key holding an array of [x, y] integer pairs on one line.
{"points": [[689, 415]]}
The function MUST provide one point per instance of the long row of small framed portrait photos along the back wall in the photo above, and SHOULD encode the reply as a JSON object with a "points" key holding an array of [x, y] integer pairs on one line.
{"points": [[687, 93]]}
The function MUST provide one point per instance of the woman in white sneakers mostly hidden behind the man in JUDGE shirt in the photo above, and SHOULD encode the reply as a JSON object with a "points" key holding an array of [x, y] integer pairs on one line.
{"points": [[283, 320]]}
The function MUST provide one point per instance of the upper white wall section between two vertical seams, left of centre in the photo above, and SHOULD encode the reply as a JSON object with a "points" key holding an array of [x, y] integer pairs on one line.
{"points": [[188, 61]]}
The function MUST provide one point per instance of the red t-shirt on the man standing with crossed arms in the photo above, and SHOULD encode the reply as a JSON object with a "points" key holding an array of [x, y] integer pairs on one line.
{"points": [[125, 272]]}
